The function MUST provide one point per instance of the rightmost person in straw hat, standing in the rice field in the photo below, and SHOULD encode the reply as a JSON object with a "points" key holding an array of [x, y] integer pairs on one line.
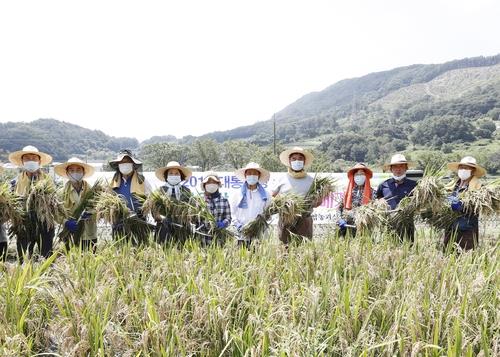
{"points": [[465, 229]]}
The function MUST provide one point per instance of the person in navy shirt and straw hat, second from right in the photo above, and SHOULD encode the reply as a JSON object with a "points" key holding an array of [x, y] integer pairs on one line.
{"points": [[394, 189]]}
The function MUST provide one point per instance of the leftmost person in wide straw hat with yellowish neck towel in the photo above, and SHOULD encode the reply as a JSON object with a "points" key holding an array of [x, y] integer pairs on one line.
{"points": [[30, 160]]}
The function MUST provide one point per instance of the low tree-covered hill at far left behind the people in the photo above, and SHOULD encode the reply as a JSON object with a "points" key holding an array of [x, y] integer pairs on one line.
{"points": [[60, 139]]}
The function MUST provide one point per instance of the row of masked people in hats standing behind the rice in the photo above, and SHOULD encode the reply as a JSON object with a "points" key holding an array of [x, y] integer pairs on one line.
{"points": [[234, 212]]}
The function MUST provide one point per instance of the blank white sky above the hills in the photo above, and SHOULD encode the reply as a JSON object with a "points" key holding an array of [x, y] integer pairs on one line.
{"points": [[144, 68]]}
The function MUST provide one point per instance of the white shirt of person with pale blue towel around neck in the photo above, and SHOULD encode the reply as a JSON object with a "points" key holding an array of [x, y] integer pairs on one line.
{"points": [[255, 206]]}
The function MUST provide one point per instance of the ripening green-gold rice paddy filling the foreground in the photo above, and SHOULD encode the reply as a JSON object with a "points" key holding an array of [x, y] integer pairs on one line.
{"points": [[366, 296]]}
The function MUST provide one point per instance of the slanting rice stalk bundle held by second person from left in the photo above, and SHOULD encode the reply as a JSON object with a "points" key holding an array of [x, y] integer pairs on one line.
{"points": [[86, 204]]}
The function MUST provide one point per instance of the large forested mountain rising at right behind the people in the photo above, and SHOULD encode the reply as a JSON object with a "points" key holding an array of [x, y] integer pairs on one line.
{"points": [[366, 118]]}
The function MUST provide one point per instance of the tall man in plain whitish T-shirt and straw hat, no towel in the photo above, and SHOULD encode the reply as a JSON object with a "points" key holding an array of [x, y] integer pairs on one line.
{"points": [[297, 160]]}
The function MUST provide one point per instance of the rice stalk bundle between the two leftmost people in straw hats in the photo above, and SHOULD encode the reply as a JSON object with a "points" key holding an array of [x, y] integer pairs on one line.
{"points": [[43, 201]]}
